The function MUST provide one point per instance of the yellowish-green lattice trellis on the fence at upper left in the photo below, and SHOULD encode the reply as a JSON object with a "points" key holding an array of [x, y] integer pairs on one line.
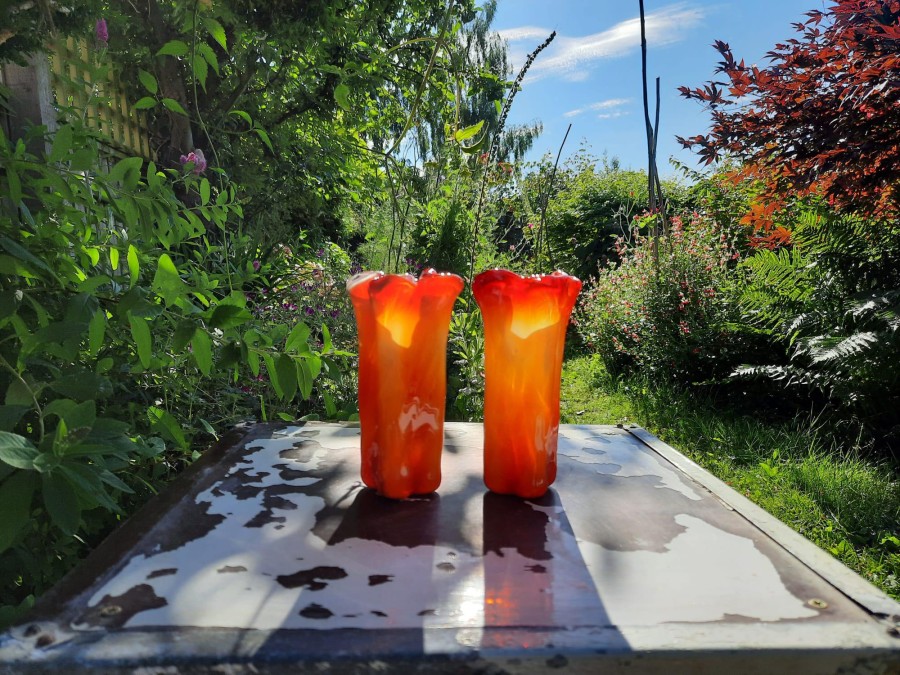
{"points": [[105, 102]]}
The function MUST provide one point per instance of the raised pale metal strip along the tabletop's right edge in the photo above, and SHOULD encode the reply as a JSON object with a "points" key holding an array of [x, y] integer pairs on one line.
{"points": [[820, 562]]}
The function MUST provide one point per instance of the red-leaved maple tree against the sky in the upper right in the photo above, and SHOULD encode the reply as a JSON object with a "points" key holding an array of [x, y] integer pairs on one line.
{"points": [[823, 118]]}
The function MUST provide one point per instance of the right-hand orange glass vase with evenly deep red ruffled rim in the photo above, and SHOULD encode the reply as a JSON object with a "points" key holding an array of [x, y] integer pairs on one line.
{"points": [[525, 320]]}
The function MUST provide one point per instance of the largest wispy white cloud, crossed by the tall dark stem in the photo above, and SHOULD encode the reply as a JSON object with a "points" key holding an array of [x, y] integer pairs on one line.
{"points": [[572, 57]]}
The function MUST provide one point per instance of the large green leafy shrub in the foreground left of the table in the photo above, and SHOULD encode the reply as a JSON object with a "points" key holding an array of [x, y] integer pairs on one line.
{"points": [[125, 337]]}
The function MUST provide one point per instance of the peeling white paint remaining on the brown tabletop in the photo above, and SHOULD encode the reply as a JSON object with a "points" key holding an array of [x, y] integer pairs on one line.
{"points": [[703, 575]]}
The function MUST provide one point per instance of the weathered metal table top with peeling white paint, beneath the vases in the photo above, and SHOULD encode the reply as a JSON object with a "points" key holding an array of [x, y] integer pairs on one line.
{"points": [[269, 554]]}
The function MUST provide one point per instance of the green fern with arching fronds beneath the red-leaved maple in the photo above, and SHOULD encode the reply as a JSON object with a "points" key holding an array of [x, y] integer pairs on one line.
{"points": [[830, 305]]}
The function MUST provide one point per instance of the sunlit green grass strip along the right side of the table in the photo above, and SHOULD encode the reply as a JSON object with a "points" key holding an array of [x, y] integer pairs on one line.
{"points": [[834, 496]]}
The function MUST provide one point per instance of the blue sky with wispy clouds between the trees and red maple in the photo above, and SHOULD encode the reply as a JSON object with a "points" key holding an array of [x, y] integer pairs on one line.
{"points": [[591, 74]]}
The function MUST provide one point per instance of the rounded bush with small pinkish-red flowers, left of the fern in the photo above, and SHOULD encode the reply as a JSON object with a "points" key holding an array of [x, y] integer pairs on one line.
{"points": [[670, 322]]}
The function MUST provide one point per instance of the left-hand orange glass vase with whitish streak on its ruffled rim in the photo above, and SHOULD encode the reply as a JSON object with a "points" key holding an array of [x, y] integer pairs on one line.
{"points": [[402, 325]]}
